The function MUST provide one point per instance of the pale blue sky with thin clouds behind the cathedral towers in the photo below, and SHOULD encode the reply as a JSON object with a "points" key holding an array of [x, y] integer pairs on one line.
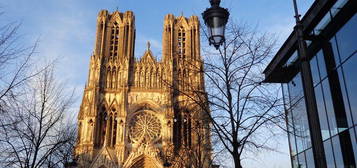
{"points": [[66, 29]]}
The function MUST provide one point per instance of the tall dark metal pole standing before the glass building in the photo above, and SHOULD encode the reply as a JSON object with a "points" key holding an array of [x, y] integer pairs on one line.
{"points": [[310, 99]]}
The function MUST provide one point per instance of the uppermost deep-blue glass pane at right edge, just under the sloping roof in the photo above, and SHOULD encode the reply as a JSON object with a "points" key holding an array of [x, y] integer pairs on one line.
{"points": [[346, 38]]}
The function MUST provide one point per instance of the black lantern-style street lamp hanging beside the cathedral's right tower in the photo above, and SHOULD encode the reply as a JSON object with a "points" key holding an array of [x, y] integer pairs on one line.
{"points": [[215, 19]]}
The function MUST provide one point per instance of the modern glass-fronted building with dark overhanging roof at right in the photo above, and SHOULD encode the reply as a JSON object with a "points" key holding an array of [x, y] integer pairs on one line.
{"points": [[330, 29]]}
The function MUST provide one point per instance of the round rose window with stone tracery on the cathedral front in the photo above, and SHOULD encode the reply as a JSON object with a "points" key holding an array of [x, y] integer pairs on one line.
{"points": [[144, 127]]}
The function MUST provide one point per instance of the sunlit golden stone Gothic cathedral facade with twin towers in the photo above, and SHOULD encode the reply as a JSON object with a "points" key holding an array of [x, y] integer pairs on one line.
{"points": [[141, 112]]}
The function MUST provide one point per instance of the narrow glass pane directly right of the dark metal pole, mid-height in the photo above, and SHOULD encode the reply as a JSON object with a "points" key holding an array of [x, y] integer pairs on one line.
{"points": [[322, 113]]}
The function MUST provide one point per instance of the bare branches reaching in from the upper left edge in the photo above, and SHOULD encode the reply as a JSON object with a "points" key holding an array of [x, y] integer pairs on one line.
{"points": [[15, 62]]}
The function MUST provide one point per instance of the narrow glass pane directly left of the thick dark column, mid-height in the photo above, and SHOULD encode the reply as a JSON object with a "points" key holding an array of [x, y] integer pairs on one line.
{"points": [[329, 107]]}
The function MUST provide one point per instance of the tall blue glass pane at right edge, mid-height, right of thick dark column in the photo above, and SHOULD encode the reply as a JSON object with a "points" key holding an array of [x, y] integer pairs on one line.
{"points": [[350, 69]]}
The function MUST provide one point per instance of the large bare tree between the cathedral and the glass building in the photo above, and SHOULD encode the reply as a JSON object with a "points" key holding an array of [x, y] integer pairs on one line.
{"points": [[244, 112]]}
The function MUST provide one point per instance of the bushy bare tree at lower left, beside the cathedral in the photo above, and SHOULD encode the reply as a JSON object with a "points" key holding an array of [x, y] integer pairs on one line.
{"points": [[34, 132]]}
